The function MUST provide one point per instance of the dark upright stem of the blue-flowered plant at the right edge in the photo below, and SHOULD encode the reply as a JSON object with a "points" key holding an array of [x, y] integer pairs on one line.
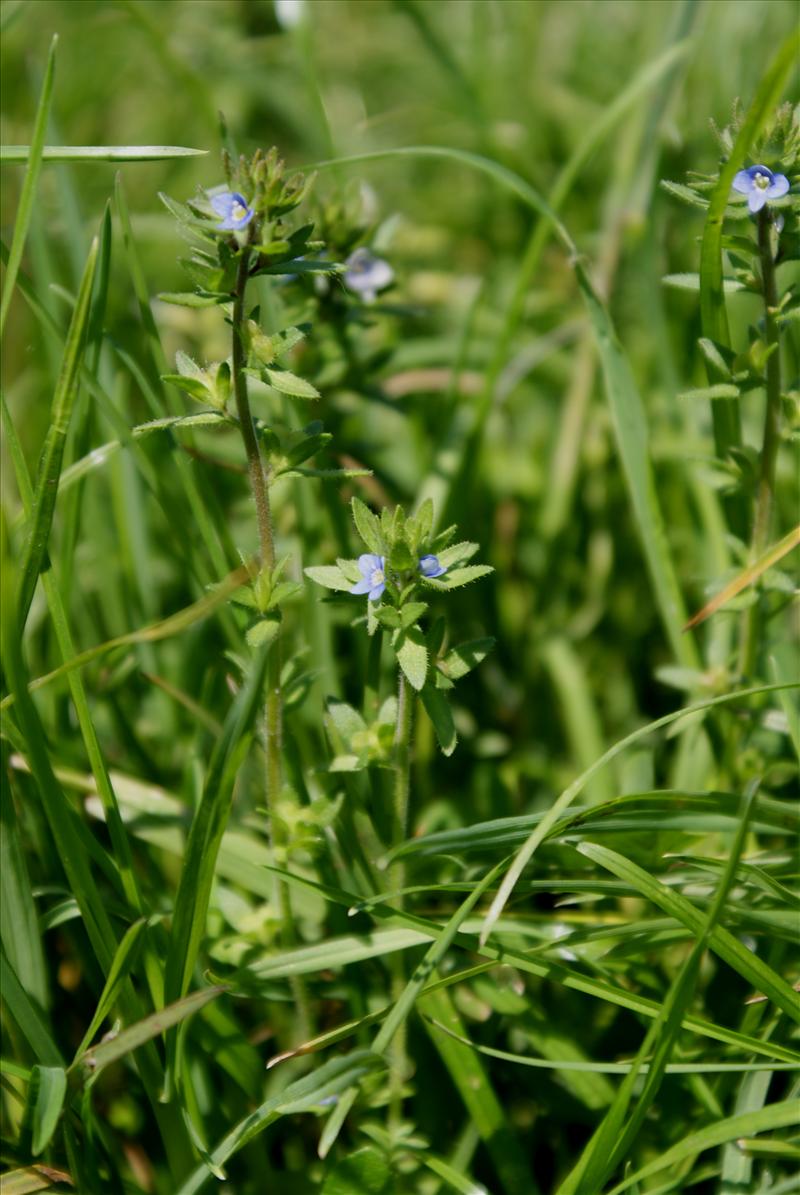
{"points": [[772, 439]]}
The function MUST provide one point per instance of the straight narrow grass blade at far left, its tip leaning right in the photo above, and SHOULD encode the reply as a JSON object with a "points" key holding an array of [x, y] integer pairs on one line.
{"points": [[47, 482]]}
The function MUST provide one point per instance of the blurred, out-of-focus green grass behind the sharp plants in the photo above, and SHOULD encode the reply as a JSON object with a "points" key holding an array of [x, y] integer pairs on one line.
{"points": [[579, 639]]}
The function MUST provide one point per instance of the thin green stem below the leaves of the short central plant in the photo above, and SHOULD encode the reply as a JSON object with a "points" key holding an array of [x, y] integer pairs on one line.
{"points": [[398, 883]]}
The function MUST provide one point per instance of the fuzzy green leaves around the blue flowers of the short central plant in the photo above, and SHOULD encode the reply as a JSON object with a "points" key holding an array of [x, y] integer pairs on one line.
{"points": [[428, 664]]}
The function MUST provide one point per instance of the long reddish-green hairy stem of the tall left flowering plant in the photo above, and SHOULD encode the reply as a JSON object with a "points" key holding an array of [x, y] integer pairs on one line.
{"points": [[274, 703]]}
